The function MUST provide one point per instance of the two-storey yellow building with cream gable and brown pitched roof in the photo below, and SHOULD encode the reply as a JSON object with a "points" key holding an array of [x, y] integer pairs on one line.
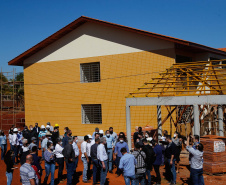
{"points": [[79, 76]]}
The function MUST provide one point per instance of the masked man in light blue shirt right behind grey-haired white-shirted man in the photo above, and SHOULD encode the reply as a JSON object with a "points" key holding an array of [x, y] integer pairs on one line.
{"points": [[110, 145]]}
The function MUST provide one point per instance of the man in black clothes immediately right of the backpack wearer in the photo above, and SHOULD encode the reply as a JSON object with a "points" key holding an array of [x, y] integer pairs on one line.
{"points": [[150, 158]]}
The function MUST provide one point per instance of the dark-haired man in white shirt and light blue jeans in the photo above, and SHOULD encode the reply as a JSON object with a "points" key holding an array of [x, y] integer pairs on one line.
{"points": [[85, 159]]}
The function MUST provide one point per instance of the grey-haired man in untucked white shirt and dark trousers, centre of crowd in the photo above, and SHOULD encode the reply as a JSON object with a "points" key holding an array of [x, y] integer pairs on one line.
{"points": [[103, 158]]}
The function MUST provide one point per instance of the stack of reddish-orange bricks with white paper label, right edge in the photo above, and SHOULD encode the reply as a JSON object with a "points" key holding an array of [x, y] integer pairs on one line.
{"points": [[214, 155]]}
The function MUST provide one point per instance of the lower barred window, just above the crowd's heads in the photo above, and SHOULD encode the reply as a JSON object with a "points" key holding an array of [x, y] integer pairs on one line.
{"points": [[91, 114]]}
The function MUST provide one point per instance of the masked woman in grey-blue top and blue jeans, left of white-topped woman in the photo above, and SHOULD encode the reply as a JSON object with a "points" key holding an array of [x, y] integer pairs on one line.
{"points": [[49, 158]]}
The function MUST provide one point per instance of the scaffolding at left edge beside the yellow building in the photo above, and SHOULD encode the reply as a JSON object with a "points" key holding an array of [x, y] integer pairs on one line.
{"points": [[12, 105]]}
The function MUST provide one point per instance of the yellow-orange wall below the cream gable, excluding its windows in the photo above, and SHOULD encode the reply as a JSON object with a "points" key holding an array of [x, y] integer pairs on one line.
{"points": [[53, 91]]}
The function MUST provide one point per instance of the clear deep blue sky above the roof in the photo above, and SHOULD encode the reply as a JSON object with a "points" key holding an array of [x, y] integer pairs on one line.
{"points": [[24, 23]]}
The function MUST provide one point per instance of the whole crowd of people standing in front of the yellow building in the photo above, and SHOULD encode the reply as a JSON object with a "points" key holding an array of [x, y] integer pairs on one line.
{"points": [[103, 150]]}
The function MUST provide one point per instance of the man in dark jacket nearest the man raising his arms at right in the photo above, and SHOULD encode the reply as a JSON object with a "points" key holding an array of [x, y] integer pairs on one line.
{"points": [[170, 154]]}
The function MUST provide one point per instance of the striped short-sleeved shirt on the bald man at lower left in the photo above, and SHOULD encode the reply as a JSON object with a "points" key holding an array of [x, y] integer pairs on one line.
{"points": [[27, 173]]}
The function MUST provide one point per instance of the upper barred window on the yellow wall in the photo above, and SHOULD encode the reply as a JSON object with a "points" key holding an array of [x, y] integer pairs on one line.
{"points": [[90, 72]]}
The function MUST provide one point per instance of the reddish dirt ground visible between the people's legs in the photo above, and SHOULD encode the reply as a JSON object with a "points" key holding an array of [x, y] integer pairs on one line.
{"points": [[182, 176]]}
